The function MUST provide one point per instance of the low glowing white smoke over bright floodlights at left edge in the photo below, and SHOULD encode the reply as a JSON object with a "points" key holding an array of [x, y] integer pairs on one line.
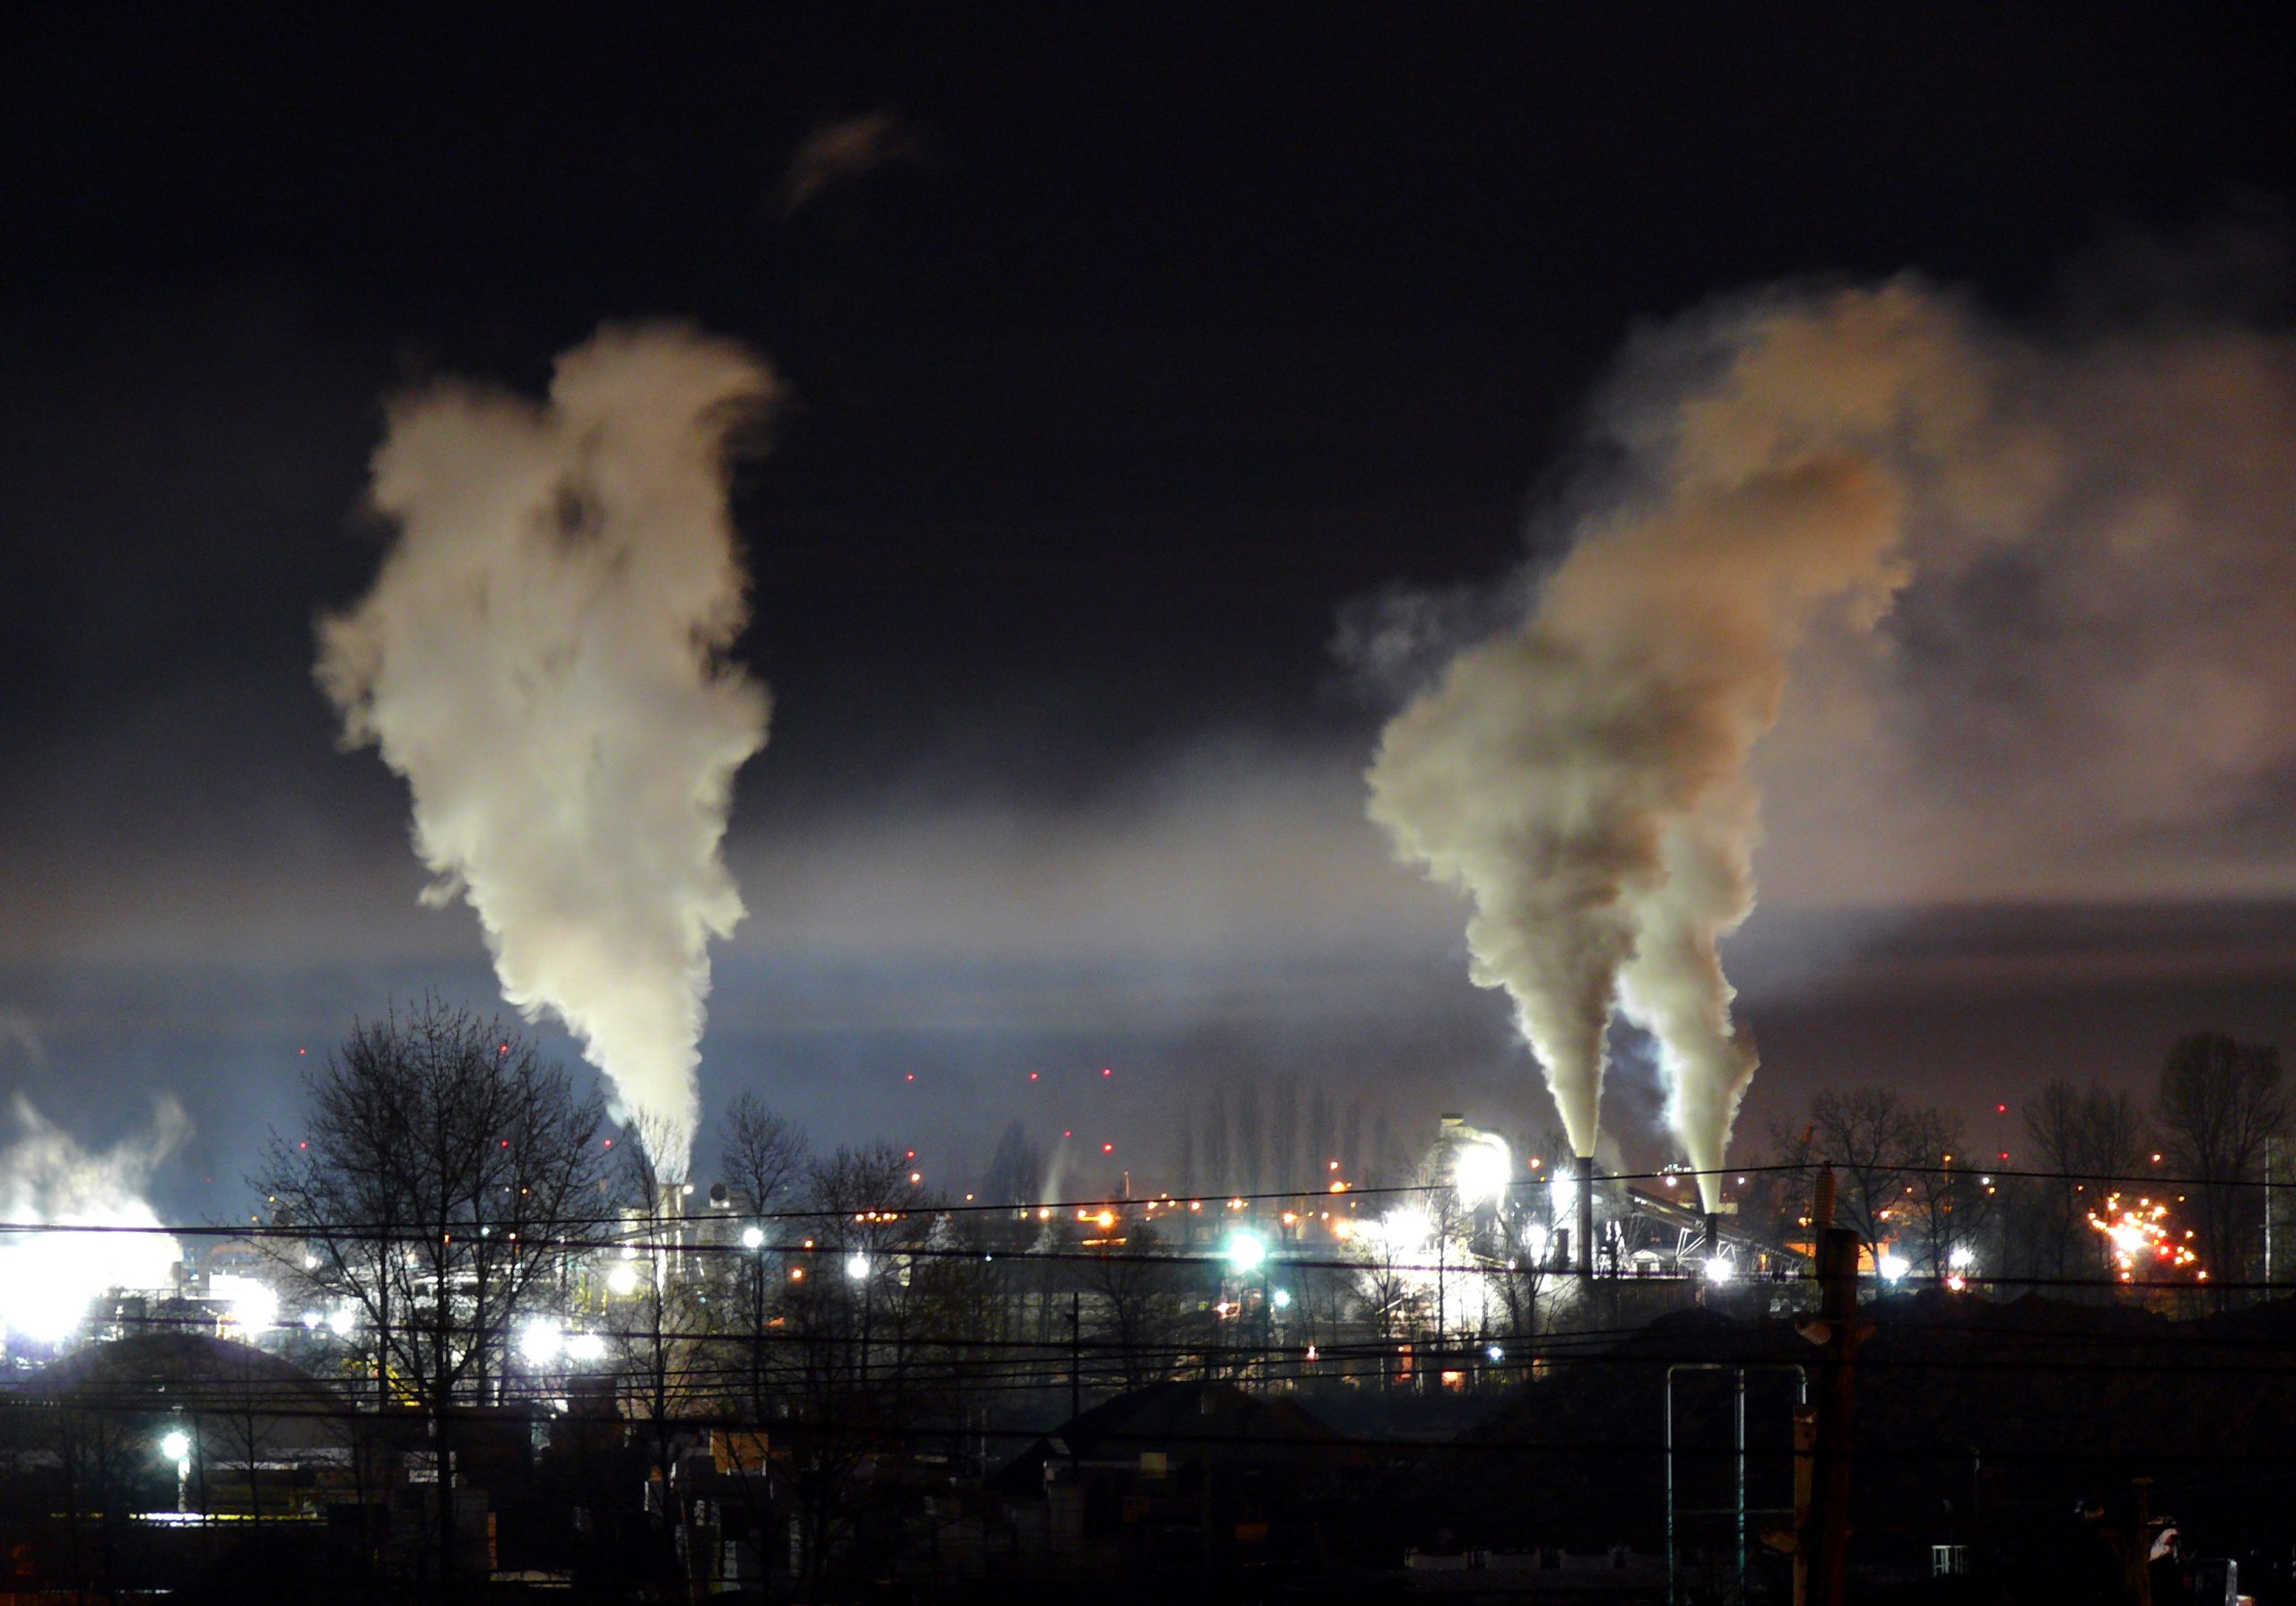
{"points": [[52, 1279]]}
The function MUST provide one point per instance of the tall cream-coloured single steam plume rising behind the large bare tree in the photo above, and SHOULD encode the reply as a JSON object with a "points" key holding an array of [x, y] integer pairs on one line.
{"points": [[545, 660]]}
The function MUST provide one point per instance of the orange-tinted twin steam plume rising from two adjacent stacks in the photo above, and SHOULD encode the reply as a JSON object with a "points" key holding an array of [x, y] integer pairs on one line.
{"points": [[1585, 774]]}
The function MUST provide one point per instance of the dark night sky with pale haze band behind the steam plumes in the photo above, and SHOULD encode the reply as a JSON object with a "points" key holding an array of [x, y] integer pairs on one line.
{"points": [[1149, 345]]}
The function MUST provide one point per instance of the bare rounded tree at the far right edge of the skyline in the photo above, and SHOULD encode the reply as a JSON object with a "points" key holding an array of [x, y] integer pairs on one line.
{"points": [[2219, 1105]]}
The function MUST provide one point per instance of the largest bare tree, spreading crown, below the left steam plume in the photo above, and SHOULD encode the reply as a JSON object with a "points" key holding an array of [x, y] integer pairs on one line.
{"points": [[442, 1180]]}
